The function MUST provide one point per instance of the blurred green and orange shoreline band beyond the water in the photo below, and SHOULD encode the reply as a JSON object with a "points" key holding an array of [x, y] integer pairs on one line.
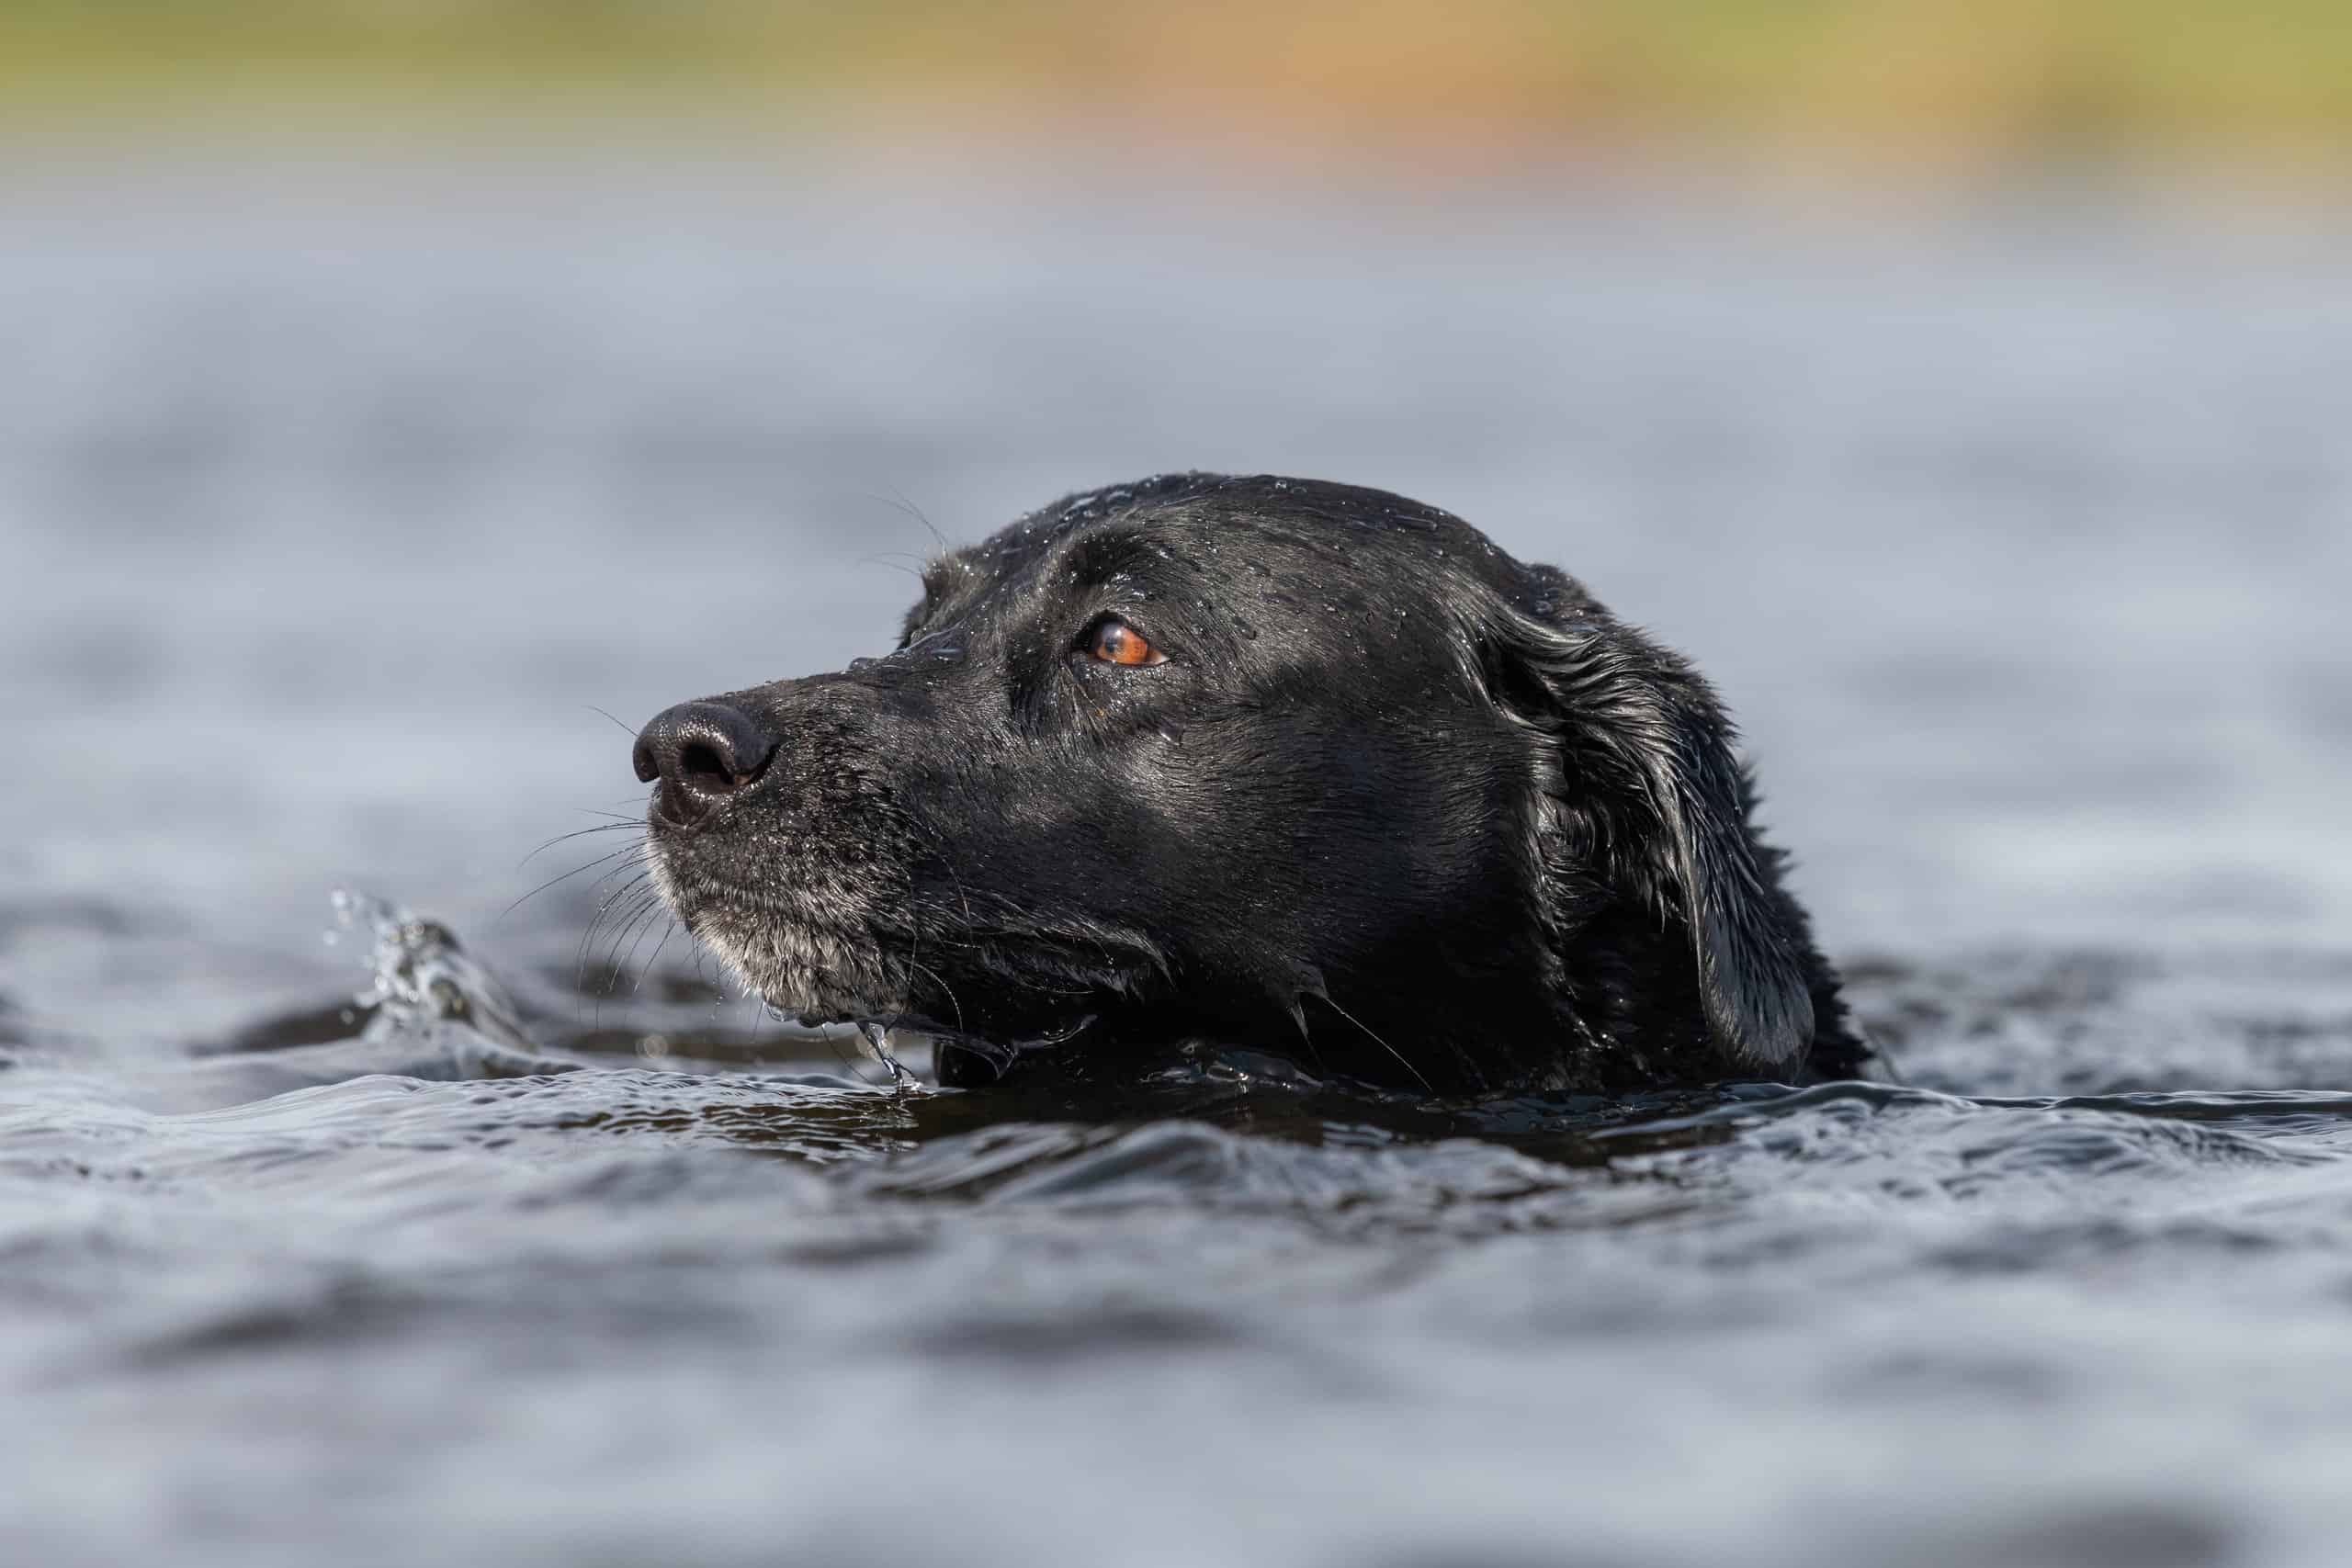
{"points": [[1857, 102]]}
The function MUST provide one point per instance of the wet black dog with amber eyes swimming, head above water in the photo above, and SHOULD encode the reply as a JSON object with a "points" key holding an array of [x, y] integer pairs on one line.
{"points": [[1269, 763]]}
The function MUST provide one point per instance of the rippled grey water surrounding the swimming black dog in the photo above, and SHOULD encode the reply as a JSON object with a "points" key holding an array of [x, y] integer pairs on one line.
{"points": [[340, 507]]}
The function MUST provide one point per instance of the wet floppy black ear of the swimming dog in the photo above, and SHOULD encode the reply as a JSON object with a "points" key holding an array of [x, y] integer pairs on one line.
{"points": [[1641, 756]]}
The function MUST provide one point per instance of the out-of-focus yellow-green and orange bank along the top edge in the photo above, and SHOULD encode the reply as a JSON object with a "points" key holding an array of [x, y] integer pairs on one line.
{"points": [[1953, 83]]}
